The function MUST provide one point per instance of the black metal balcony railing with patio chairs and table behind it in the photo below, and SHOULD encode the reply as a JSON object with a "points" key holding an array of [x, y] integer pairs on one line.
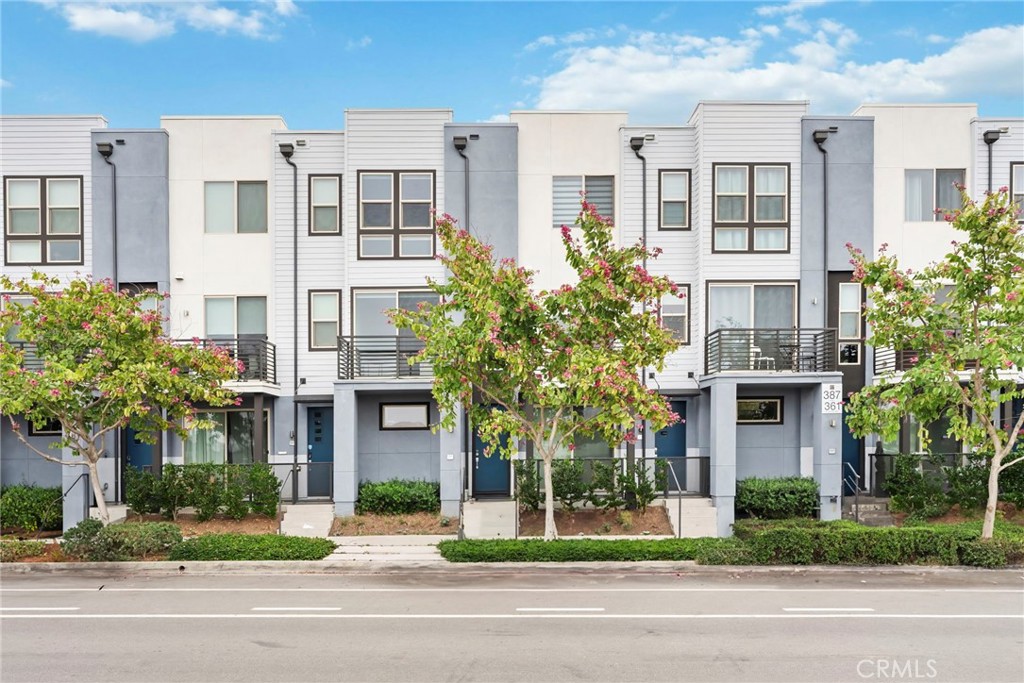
{"points": [[797, 351]]}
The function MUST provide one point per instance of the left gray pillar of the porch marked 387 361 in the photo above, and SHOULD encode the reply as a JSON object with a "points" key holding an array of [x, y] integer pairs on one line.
{"points": [[723, 454]]}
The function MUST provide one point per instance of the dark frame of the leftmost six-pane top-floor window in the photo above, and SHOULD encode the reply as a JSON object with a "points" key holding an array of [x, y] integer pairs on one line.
{"points": [[45, 208]]}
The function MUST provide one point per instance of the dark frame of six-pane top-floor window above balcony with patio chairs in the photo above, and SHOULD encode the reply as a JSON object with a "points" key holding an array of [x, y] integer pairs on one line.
{"points": [[754, 196]]}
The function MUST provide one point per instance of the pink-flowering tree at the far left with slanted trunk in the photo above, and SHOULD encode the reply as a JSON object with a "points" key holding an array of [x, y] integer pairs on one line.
{"points": [[96, 360]]}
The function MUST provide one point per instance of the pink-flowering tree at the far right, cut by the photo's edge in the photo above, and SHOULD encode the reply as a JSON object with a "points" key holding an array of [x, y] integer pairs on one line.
{"points": [[969, 344]]}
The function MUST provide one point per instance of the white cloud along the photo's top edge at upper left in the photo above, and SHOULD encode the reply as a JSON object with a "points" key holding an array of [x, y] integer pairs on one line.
{"points": [[143, 21]]}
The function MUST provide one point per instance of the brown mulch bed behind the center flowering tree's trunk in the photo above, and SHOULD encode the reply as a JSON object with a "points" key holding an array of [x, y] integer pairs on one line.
{"points": [[600, 523]]}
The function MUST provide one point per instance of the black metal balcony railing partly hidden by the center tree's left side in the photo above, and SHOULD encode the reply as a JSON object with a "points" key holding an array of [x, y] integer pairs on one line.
{"points": [[383, 357]]}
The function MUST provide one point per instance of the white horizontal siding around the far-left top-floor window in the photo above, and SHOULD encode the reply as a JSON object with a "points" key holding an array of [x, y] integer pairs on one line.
{"points": [[50, 146]]}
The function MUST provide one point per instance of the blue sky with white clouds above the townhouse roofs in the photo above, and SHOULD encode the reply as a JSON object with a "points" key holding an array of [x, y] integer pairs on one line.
{"points": [[136, 61]]}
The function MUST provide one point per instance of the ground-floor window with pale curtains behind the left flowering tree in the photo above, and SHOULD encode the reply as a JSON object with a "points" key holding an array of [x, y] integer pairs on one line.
{"points": [[231, 440]]}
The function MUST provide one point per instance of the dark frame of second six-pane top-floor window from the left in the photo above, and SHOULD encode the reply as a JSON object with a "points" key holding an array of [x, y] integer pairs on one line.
{"points": [[400, 231]]}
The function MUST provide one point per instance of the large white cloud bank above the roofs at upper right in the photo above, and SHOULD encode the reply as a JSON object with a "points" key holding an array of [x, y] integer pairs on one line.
{"points": [[660, 77]]}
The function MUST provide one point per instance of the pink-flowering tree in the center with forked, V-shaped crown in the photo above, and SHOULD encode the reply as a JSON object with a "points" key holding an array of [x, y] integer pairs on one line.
{"points": [[537, 360]]}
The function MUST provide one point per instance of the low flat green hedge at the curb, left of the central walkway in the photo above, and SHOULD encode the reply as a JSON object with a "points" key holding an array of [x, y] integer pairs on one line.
{"points": [[228, 547]]}
